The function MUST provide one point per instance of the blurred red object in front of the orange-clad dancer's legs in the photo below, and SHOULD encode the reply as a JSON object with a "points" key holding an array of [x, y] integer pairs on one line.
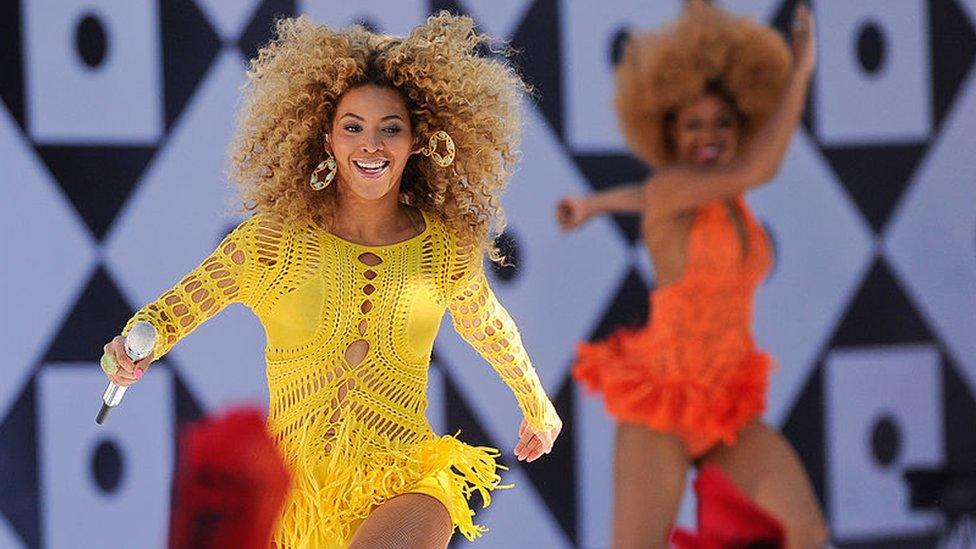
{"points": [[727, 518]]}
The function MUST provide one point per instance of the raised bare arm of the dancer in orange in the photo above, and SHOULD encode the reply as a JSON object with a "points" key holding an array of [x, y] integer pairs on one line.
{"points": [[677, 188]]}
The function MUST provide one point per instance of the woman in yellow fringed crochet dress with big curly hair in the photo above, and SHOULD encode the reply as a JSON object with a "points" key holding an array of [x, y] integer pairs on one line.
{"points": [[374, 167]]}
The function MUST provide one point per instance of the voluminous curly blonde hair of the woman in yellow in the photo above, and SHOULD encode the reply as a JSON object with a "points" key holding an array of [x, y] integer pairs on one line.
{"points": [[296, 81]]}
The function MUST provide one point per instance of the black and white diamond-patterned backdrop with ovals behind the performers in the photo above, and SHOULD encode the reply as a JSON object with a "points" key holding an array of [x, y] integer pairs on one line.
{"points": [[114, 123]]}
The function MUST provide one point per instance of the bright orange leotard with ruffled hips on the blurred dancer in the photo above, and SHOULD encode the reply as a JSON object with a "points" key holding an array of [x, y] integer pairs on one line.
{"points": [[694, 369]]}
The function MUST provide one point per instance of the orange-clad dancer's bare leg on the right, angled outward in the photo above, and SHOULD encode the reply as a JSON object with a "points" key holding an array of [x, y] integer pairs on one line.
{"points": [[764, 465]]}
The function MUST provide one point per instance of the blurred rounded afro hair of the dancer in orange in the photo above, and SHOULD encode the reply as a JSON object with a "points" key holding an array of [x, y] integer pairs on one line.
{"points": [[705, 50]]}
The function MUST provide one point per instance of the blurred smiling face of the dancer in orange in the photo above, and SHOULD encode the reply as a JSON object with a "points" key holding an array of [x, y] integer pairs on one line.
{"points": [[706, 132]]}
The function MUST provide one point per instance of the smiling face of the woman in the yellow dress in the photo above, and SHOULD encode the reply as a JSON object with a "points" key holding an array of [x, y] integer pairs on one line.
{"points": [[371, 139]]}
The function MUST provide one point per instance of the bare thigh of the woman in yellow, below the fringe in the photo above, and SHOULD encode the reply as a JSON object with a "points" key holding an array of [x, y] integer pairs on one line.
{"points": [[407, 521]]}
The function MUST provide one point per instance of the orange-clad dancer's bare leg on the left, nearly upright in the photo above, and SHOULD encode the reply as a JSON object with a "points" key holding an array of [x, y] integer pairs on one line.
{"points": [[648, 480]]}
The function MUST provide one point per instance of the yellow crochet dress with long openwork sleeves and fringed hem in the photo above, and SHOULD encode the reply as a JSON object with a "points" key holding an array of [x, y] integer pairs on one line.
{"points": [[356, 434]]}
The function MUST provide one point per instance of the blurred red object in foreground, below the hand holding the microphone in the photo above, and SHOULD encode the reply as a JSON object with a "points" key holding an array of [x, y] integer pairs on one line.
{"points": [[230, 485]]}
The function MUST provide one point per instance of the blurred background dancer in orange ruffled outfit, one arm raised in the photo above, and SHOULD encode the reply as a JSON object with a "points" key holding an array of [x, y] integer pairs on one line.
{"points": [[711, 103]]}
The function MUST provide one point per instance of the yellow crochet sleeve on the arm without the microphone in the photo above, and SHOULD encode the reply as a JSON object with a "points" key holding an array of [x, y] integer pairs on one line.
{"points": [[484, 323]]}
